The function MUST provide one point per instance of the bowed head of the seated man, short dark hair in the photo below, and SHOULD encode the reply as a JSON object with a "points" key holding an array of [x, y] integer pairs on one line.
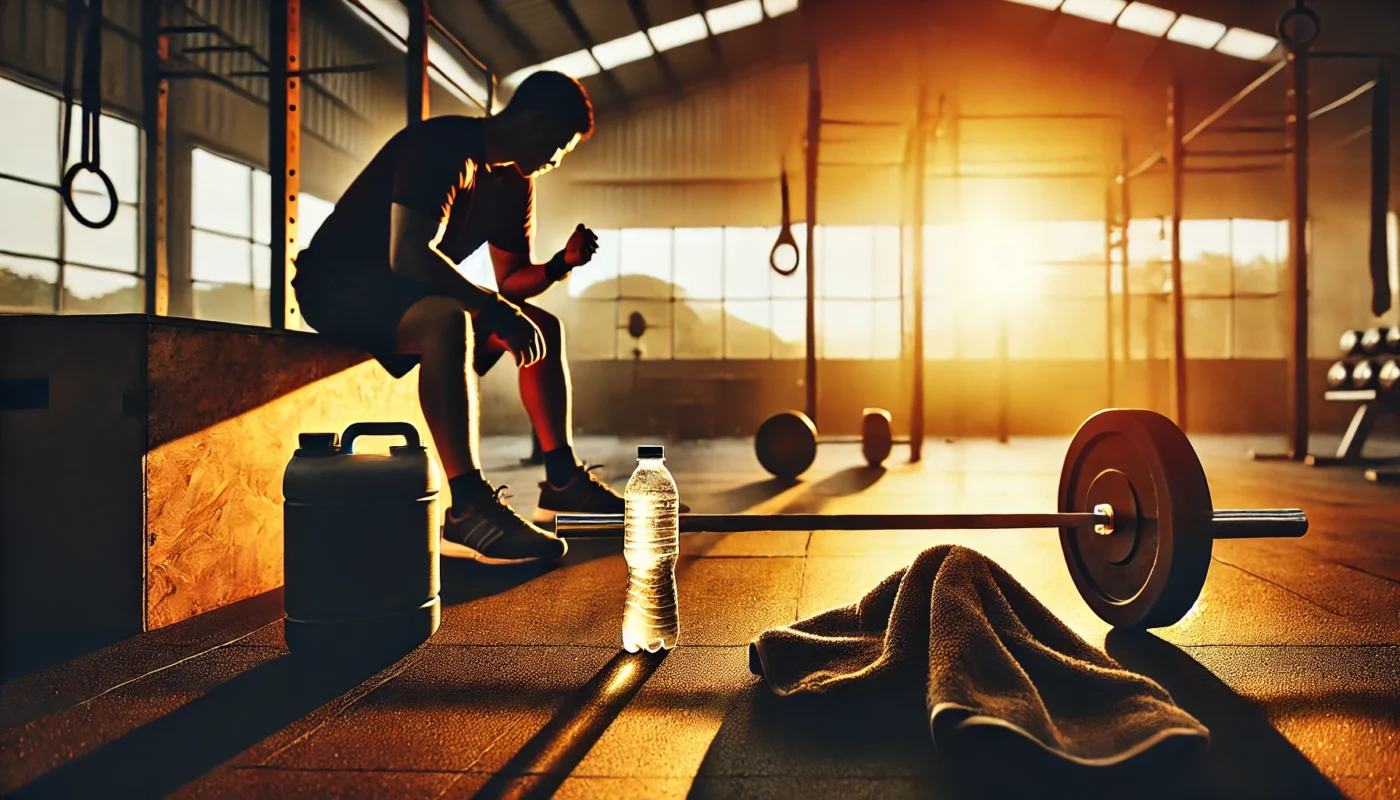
{"points": [[547, 118]]}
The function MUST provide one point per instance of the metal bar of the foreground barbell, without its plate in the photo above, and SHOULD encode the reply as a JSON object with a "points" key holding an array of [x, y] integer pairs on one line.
{"points": [[1226, 525]]}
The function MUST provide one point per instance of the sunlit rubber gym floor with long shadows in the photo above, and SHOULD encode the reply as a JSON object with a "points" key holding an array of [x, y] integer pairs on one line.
{"points": [[1291, 658]]}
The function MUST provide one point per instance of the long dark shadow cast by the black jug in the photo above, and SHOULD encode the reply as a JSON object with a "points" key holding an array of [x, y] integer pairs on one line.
{"points": [[166, 754]]}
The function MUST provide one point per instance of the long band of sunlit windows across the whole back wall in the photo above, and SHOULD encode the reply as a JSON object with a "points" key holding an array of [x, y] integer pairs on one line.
{"points": [[1038, 287]]}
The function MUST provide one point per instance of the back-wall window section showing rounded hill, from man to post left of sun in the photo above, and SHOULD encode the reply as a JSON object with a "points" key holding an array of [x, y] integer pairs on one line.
{"points": [[710, 294]]}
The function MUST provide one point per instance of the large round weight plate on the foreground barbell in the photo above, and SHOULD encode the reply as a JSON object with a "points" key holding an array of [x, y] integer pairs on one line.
{"points": [[1154, 579]]}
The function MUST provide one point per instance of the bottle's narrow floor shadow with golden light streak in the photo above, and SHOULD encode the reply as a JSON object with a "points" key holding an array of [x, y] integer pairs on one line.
{"points": [[552, 754]]}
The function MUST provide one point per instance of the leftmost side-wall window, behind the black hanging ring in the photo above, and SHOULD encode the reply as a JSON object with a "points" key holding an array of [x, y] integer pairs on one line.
{"points": [[50, 263]]}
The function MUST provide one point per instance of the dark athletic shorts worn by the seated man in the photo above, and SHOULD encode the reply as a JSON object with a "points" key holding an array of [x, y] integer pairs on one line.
{"points": [[363, 306]]}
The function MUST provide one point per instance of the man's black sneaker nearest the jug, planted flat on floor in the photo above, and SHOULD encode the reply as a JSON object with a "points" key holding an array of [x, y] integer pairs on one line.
{"points": [[491, 532]]}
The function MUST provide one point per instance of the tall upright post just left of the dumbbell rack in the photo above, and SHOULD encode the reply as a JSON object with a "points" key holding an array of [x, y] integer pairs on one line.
{"points": [[1297, 160]]}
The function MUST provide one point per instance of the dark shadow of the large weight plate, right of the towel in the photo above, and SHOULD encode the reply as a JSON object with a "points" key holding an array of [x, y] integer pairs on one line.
{"points": [[1248, 757]]}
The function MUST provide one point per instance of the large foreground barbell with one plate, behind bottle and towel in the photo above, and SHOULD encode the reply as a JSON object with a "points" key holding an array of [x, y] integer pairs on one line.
{"points": [[1135, 516]]}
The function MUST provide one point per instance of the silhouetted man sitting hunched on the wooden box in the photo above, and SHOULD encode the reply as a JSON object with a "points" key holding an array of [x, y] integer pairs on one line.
{"points": [[381, 274]]}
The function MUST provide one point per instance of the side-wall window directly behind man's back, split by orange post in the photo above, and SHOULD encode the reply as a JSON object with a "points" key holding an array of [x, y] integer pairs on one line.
{"points": [[232, 239]]}
